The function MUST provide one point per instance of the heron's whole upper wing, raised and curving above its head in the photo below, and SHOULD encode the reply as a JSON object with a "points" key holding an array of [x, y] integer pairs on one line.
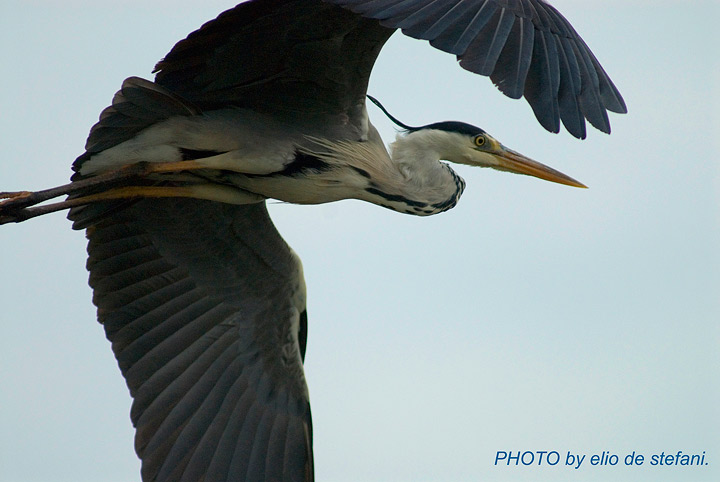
{"points": [[316, 58]]}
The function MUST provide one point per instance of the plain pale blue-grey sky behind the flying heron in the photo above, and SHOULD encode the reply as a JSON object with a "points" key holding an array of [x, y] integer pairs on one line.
{"points": [[533, 316]]}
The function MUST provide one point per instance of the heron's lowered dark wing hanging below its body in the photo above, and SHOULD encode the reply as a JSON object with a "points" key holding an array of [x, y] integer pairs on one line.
{"points": [[204, 305]]}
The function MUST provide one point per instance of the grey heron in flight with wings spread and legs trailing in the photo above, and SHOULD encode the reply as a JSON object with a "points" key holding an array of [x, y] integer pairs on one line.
{"points": [[202, 300]]}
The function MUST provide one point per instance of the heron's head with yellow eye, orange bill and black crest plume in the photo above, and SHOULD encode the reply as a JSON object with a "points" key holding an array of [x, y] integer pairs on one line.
{"points": [[463, 143]]}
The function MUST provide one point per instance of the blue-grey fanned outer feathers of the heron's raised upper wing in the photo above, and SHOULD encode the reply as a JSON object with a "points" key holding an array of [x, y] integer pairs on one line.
{"points": [[525, 46]]}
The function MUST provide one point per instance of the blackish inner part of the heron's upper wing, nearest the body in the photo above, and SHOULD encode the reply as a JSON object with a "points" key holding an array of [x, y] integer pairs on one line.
{"points": [[301, 57]]}
